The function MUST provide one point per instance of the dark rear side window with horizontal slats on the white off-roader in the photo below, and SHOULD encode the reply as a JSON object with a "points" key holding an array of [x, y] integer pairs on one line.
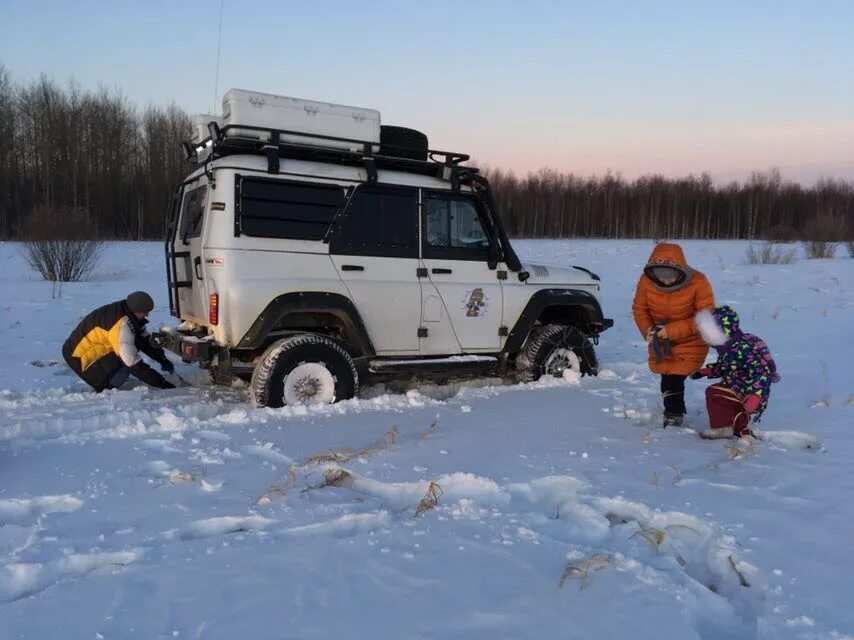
{"points": [[292, 210]]}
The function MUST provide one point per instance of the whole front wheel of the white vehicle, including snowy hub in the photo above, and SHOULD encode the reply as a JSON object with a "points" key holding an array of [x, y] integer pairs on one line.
{"points": [[554, 349]]}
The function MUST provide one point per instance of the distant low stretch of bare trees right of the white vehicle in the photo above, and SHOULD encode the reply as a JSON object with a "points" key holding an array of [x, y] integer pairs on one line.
{"points": [[549, 204]]}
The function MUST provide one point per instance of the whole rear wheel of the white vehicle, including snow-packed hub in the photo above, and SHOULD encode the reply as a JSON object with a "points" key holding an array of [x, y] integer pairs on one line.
{"points": [[303, 369]]}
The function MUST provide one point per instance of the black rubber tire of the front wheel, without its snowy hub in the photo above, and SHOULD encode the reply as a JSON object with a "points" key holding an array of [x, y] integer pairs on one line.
{"points": [[545, 341]]}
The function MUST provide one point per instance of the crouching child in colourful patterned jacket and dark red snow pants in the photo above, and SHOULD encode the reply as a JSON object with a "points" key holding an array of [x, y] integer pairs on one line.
{"points": [[746, 370]]}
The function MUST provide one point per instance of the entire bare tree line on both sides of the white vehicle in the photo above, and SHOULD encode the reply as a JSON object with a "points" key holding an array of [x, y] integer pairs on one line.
{"points": [[116, 166]]}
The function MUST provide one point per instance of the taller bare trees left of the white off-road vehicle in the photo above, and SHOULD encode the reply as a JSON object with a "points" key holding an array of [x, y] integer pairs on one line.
{"points": [[90, 152]]}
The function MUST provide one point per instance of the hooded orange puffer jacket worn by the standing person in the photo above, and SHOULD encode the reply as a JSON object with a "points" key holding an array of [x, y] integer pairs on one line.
{"points": [[675, 307]]}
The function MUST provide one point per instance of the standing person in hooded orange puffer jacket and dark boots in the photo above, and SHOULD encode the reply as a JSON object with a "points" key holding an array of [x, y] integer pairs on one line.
{"points": [[668, 296]]}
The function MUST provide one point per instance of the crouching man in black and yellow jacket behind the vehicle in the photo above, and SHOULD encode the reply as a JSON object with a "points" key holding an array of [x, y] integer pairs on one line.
{"points": [[105, 347]]}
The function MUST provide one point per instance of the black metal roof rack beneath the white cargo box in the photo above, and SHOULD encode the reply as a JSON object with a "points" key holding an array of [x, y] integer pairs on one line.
{"points": [[237, 139]]}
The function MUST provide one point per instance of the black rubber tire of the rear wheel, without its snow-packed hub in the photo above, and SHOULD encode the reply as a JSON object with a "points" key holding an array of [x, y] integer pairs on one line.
{"points": [[267, 387]]}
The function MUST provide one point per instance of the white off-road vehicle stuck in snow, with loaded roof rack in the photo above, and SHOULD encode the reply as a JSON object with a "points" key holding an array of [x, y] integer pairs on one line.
{"points": [[312, 248]]}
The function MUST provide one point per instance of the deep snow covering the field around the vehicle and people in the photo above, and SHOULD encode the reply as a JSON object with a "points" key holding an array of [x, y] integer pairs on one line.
{"points": [[145, 514]]}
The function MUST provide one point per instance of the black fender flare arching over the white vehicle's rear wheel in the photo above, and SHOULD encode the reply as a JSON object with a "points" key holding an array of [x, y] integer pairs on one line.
{"points": [[308, 301]]}
